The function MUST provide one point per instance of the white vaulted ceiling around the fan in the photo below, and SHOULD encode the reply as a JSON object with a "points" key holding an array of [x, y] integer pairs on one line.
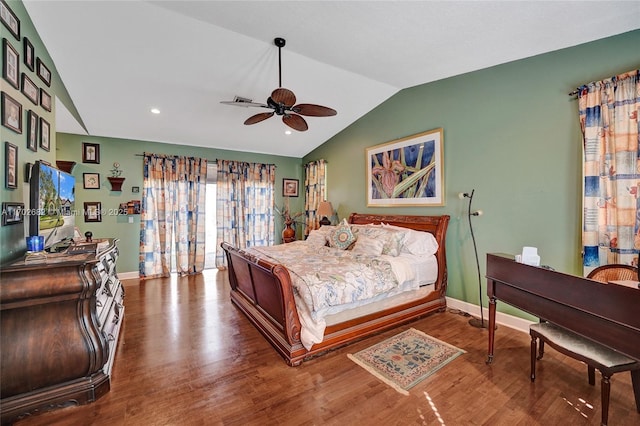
{"points": [[120, 58]]}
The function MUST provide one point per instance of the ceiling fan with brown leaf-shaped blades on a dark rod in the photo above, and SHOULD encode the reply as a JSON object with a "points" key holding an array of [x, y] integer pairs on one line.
{"points": [[283, 103]]}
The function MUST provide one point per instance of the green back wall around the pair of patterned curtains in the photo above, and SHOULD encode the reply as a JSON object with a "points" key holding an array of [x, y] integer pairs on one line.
{"points": [[127, 153]]}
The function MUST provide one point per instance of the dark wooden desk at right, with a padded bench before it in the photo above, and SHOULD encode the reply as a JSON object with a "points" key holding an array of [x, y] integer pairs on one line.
{"points": [[605, 313]]}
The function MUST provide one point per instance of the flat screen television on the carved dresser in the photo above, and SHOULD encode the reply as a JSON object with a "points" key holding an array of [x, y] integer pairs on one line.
{"points": [[53, 204]]}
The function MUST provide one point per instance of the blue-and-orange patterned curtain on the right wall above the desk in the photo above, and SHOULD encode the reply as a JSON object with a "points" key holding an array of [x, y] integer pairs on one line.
{"points": [[609, 112]]}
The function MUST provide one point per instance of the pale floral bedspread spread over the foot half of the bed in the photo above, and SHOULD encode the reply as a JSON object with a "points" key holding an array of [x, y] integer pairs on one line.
{"points": [[324, 277]]}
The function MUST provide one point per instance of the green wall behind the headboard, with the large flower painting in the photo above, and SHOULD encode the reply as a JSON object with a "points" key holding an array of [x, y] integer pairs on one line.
{"points": [[512, 133]]}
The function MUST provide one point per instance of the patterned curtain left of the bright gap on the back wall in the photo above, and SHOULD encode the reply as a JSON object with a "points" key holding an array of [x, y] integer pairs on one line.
{"points": [[172, 222]]}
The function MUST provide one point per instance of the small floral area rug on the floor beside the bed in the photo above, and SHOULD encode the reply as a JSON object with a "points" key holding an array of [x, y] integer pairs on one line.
{"points": [[405, 360]]}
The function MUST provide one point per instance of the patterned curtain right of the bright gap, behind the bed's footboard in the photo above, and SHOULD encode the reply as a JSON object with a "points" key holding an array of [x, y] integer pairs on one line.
{"points": [[244, 205]]}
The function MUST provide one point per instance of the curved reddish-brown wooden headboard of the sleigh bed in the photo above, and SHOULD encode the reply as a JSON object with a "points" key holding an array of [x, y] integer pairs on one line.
{"points": [[437, 225]]}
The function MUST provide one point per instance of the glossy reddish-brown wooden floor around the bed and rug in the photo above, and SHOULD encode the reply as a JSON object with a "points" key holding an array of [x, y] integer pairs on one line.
{"points": [[186, 356]]}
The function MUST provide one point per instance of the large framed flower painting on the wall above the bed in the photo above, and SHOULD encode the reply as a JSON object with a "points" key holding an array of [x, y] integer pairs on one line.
{"points": [[407, 171]]}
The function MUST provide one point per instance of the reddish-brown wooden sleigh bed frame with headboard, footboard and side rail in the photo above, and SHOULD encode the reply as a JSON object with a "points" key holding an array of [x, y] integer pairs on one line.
{"points": [[263, 291]]}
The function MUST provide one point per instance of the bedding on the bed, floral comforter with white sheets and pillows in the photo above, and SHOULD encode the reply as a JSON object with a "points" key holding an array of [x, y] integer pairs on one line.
{"points": [[335, 283]]}
